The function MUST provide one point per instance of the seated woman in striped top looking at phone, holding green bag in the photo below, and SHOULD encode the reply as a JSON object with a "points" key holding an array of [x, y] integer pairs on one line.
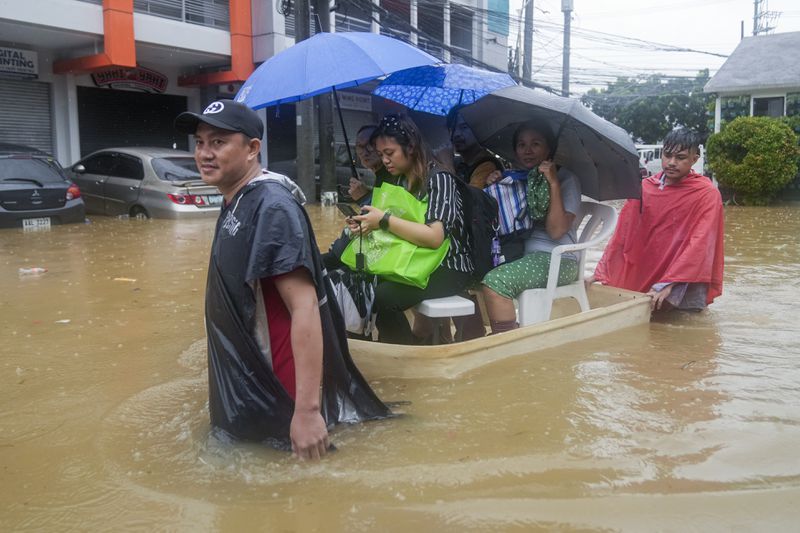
{"points": [[421, 222]]}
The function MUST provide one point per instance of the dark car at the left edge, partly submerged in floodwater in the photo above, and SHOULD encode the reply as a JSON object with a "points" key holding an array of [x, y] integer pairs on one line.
{"points": [[34, 191]]}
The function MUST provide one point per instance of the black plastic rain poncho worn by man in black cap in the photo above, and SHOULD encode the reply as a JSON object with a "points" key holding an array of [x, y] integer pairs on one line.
{"points": [[264, 232]]}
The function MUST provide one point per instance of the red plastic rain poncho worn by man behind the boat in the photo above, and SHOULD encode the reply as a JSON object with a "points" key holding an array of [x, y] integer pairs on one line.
{"points": [[674, 235]]}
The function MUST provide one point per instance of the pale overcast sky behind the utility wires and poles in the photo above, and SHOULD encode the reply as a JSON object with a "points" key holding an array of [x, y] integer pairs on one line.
{"points": [[705, 25]]}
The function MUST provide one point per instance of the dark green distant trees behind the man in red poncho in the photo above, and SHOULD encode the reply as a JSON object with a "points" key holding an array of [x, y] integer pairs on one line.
{"points": [[650, 107]]}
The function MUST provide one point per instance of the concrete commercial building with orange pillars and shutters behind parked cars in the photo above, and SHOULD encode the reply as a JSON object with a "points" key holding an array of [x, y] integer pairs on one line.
{"points": [[78, 75]]}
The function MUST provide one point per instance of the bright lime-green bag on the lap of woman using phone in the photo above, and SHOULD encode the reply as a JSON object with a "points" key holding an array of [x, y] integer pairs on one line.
{"points": [[390, 256]]}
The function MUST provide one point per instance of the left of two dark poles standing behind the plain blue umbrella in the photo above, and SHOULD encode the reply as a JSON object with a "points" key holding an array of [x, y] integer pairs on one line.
{"points": [[304, 112]]}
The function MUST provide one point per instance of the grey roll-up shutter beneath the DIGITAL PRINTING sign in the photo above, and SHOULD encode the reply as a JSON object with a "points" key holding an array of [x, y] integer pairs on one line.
{"points": [[25, 112]]}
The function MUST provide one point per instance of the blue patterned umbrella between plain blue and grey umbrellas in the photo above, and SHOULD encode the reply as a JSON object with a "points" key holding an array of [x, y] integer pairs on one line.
{"points": [[437, 89]]}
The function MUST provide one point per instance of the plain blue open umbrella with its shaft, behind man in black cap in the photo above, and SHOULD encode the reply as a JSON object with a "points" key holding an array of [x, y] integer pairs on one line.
{"points": [[326, 62]]}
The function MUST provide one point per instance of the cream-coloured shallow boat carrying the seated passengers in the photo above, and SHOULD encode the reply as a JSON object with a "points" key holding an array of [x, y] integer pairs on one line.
{"points": [[612, 309]]}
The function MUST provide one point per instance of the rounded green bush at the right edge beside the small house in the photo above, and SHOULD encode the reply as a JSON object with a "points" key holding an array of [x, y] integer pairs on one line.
{"points": [[754, 156]]}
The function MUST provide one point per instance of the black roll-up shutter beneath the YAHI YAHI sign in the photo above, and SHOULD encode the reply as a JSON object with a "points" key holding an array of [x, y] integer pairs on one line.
{"points": [[109, 118]]}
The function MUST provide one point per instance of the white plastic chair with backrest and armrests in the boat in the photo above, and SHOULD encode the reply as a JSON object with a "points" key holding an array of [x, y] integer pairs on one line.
{"points": [[535, 305]]}
